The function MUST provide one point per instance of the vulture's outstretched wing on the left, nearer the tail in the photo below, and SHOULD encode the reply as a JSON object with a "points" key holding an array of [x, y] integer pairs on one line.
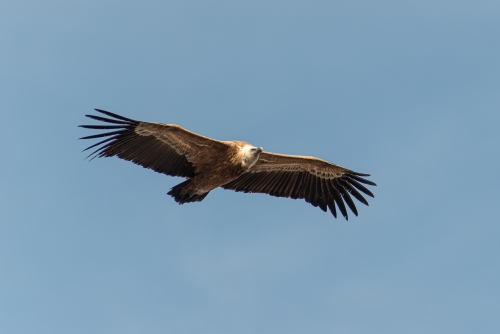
{"points": [[164, 148]]}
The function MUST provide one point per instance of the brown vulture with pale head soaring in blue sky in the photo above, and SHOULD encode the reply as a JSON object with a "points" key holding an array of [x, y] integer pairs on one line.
{"points": [[235, 165]]}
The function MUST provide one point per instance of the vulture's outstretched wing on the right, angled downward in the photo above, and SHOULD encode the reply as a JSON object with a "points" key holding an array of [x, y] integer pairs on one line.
{"points": [[317, 181]]}
